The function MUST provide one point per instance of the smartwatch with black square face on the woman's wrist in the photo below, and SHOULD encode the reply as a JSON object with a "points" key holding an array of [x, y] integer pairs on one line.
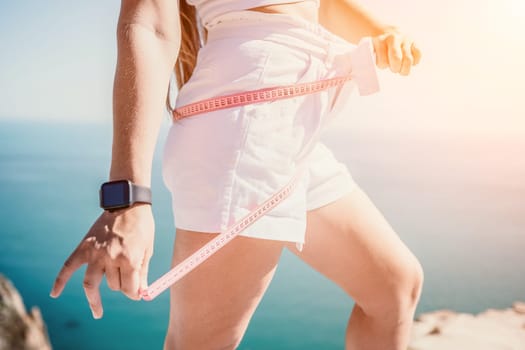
{"points": [[122, 194]]}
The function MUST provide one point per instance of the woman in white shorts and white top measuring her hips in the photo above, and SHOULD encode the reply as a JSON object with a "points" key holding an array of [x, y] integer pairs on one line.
{"points": [[219, 164]]}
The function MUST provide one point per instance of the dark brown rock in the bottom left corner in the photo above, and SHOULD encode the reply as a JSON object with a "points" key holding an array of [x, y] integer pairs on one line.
{"points": [[18, 329]]}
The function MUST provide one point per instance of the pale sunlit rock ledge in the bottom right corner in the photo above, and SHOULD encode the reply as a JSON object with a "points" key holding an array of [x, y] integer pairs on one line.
{"points": [[488, 330]]}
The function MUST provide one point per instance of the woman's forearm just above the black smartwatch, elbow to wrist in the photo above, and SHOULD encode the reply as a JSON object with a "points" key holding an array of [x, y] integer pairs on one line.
{"points": [[144, 65]]}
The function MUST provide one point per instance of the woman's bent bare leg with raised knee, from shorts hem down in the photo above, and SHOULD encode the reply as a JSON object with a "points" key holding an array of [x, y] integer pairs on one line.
{"points": [[350, 242]]}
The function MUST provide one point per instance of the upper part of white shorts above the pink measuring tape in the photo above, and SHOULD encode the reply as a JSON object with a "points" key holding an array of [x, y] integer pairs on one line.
{"points": [[248, 50]]}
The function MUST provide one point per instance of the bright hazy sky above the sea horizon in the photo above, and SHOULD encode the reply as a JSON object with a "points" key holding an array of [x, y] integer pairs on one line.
{"points": [[58, 59]]}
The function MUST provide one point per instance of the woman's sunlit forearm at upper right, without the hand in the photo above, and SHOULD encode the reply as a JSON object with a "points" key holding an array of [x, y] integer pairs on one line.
{"points": [[349, 20]]}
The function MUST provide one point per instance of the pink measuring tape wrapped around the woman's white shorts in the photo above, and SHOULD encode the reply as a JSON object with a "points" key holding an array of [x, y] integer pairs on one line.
{"points": [[363, 73]]}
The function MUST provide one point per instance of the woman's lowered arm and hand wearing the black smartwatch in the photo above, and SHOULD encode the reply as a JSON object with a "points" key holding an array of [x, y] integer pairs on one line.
{"points": [[120, 243]]}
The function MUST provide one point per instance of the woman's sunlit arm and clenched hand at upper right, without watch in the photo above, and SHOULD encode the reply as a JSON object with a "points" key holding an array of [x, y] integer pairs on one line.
{"points": [[352, 22]]}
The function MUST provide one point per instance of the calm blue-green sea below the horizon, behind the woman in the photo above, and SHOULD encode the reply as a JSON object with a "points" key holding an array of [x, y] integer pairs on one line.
{"points": [[456, 200]]}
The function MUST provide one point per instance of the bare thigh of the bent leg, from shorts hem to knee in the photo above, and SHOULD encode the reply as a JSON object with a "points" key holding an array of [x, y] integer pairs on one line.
{"points": [[350, 242]]}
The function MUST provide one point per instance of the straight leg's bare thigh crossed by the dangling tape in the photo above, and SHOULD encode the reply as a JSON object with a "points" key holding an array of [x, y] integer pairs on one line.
{"points": [[212, 306]]}
